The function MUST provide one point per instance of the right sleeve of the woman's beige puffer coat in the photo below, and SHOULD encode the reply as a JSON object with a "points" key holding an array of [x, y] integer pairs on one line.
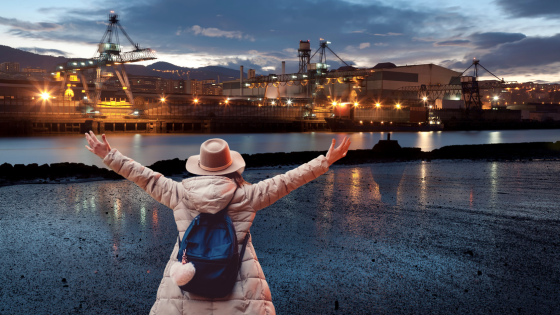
{"points": [[268, 191]]}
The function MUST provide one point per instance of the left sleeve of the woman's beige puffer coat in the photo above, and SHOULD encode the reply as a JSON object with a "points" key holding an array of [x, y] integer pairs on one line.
{"points": [[162, 189]]}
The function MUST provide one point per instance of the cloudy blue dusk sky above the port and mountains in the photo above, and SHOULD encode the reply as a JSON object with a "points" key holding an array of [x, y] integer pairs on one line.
{"points": [[517, 40]]}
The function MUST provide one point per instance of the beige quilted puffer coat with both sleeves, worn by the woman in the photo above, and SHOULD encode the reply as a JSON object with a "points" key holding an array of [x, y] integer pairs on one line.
{"points": [[210, 194]]}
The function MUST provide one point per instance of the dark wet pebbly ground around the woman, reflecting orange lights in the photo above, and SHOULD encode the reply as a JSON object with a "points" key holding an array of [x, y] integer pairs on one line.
{"points": [[436, 237]]}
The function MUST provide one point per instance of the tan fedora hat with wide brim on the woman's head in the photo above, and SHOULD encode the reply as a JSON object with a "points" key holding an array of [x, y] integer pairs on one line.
{"points": [[215, 159]]}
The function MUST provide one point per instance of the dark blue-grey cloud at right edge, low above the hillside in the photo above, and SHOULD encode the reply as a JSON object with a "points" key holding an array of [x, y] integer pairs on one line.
{"points": [[536, 52]]}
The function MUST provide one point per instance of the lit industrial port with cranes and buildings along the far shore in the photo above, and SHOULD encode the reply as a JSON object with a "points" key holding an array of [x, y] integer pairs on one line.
{"points": [[97, 94]]}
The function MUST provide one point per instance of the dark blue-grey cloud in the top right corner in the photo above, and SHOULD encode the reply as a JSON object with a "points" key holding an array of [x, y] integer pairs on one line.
{"points": [[531, 8]]}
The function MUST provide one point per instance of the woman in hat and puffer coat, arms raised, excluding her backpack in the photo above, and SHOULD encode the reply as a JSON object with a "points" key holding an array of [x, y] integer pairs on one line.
{"points": [[222, 186]]}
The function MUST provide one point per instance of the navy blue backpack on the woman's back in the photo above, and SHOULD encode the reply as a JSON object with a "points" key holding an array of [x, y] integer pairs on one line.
{"points": [[210, 243]]}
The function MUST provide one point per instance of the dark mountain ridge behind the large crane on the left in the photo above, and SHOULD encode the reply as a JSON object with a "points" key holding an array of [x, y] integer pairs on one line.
{"points": [[161, 69]]}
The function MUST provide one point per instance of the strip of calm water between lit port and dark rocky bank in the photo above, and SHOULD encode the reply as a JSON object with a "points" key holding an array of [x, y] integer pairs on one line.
{"points": [[148, 149]]}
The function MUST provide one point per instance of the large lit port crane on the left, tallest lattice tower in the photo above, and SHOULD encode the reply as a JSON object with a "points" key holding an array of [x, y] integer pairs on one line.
{"points": [[109, 54]]}
